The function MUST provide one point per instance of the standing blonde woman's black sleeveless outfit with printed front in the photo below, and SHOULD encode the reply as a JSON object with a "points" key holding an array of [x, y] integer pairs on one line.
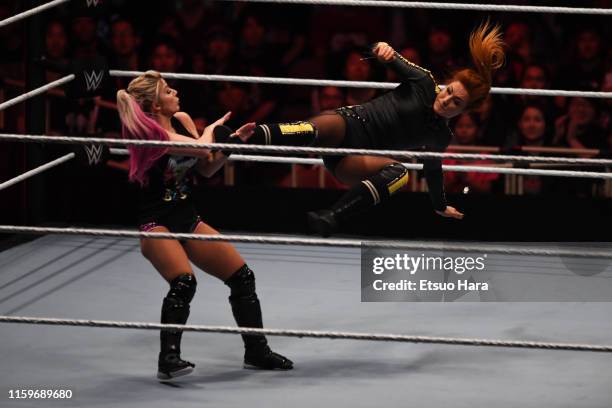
{"points": [[170, 181]]}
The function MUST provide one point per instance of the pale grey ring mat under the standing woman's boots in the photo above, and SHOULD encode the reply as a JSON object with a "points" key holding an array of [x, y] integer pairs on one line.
{"points": [[312, 288]]}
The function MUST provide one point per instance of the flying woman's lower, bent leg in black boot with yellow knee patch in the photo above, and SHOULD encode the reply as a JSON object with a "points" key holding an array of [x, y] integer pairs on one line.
{"points": [[358, 199]]}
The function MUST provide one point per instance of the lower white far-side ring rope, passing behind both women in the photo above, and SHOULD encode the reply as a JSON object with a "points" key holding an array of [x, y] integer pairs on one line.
{"points": [[414, 166]]}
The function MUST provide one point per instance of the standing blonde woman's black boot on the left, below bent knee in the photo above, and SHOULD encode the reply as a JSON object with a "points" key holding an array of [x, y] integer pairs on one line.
{"points": [[175, 310]]}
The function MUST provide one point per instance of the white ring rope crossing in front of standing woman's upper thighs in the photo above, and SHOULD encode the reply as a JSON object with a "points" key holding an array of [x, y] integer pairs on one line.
{"points": [[283, 240]]}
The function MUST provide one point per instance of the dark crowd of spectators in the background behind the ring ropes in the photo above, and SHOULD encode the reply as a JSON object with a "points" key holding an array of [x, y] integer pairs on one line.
{"points": [[210, 37]]}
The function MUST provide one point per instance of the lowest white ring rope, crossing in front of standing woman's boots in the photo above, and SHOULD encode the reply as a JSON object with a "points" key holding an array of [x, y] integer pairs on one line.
{"points": [[403, 338]]}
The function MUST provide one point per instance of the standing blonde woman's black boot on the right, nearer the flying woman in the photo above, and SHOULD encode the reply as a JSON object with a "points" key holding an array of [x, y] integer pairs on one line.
{"points": [[247, 312]]}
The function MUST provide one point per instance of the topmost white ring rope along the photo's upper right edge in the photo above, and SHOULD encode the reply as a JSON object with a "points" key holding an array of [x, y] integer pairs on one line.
{"points": [[442, 6]]}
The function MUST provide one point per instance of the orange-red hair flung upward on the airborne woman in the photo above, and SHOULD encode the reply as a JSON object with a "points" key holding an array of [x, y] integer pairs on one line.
{"points": [[488, 55]]}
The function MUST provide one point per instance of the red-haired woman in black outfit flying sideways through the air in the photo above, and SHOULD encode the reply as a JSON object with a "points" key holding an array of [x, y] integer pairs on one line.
{"points": [[412, 116]]}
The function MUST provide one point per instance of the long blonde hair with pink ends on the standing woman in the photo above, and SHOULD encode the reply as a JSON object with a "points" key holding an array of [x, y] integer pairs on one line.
{"points": [[135, 106]]}
